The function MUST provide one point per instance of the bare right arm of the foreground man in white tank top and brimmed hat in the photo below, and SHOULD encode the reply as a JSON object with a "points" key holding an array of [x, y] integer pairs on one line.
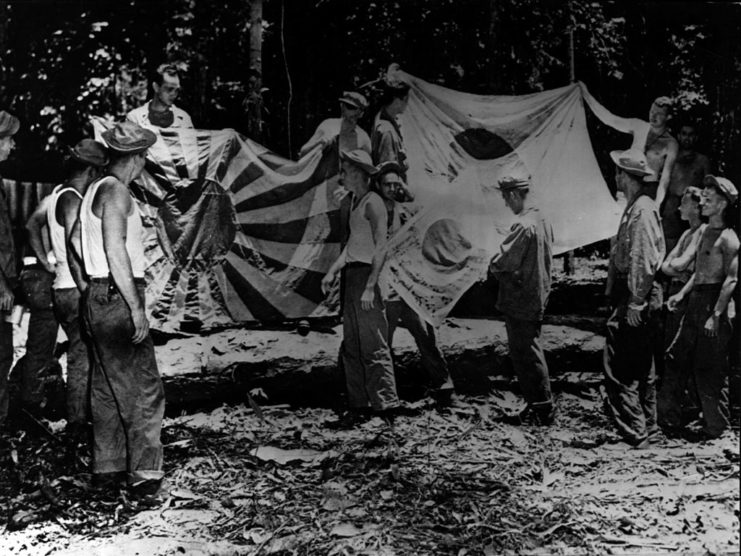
{"points": [[116, 205]]}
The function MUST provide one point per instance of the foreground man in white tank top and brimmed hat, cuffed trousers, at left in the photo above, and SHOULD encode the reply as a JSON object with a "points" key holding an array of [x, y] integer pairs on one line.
{"points": [[127, 397]]}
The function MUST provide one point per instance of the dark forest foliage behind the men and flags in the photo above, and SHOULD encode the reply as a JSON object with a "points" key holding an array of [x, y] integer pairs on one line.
{"points": [[64, 60]]}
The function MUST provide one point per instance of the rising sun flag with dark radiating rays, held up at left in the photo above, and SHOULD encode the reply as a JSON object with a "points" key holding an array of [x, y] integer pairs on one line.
{"points": [[234, 232]]}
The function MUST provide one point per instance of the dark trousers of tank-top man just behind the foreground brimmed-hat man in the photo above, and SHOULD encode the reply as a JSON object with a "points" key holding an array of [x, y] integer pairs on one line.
{"points": [[67, 306]]}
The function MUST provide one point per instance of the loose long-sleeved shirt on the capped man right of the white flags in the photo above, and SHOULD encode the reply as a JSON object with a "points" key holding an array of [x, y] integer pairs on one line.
{"points": [[638, 249]]}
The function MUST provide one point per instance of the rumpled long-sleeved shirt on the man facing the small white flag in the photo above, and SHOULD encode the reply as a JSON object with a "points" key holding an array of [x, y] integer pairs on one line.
{"points": [[523, 267]]}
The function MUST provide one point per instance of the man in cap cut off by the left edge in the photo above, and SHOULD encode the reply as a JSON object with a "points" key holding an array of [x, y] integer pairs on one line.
{"points": [[9, 125]]}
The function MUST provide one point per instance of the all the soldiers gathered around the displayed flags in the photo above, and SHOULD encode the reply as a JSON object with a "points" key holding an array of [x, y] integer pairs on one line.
{"points": [[93, 280]]}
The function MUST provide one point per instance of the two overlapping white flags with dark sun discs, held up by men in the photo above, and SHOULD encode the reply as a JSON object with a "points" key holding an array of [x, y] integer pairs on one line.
{"points": [[459, 145]]}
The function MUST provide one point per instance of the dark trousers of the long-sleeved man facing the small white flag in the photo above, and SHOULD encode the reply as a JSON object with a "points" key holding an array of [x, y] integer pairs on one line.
{"points": [[528, 362]]}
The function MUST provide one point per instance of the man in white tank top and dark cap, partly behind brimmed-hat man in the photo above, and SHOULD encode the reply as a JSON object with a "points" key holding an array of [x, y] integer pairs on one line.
{"points": [[84, 164]]}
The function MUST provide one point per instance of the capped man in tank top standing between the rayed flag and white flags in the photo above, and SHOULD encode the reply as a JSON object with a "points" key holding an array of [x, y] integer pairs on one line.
{"points": [[369, 372]]}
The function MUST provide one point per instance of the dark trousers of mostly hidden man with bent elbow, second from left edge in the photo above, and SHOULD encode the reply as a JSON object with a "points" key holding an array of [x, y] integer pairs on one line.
{"points": [[43, 327]]}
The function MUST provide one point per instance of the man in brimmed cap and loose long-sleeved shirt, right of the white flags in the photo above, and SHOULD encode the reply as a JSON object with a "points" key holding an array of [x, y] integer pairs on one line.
{"points": [[633, 328]]}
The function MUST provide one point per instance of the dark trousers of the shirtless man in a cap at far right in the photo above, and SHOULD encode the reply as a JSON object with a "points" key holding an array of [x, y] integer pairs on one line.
{"points": [[700, 360]]}
